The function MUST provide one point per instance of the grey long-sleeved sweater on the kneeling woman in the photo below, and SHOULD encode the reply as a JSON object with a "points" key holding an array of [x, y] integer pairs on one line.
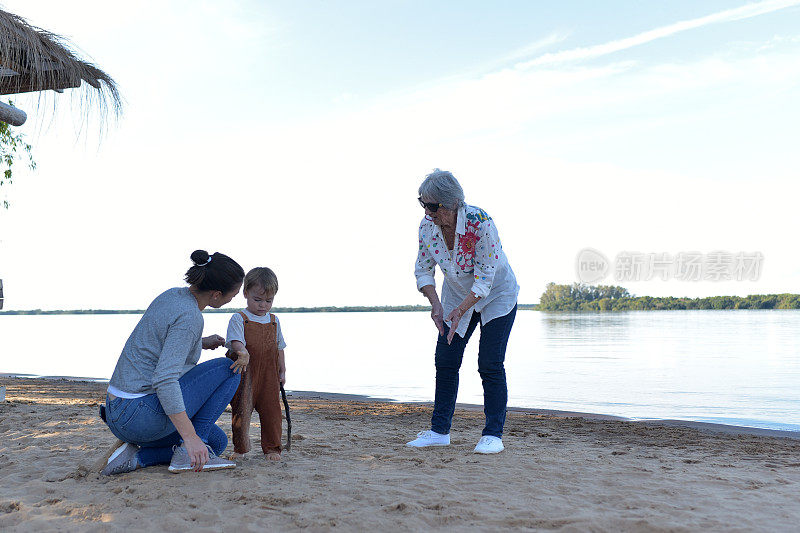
{"points": [[164, 345]]}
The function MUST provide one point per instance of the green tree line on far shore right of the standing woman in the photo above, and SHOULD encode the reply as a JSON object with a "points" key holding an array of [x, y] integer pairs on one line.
{"points": [[580, 297]]}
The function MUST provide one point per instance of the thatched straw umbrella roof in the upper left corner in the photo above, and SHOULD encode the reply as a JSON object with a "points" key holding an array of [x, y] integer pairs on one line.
{"points": [[33, 59]]}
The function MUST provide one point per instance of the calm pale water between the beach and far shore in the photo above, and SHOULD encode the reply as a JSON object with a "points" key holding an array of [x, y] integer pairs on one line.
{"points": [[735, 367]]}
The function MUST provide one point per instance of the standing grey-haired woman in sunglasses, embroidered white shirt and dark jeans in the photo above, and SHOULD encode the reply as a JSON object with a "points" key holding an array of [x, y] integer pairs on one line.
{"points": [[479, 288]]}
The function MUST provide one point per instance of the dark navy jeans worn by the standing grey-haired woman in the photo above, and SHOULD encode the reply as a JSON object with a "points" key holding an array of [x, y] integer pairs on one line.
{"points": [[491, 355]]}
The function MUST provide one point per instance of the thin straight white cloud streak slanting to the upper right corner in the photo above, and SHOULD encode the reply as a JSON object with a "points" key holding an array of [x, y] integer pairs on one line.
{"points": [[591, 52]]}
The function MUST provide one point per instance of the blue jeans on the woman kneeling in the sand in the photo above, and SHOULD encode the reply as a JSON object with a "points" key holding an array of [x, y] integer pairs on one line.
{"points": [[207, 389]]}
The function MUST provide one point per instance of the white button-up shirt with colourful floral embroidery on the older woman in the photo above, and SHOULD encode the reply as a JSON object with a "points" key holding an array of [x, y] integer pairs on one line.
{"points": [[477, 263]]}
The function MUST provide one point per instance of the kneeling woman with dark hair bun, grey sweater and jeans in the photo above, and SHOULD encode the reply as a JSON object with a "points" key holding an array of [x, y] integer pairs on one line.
{"points": [[161, 403]]}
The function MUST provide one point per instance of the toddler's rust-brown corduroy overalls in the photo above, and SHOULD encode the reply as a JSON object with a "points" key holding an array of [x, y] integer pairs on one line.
{"points": [[259, 388]]}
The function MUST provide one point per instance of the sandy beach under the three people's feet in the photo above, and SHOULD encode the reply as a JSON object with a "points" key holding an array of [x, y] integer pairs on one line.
{"points": [[349, 470]]}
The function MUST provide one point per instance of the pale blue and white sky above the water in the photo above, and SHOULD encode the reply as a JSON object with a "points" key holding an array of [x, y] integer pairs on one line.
{"points": [[295, 135]]}
